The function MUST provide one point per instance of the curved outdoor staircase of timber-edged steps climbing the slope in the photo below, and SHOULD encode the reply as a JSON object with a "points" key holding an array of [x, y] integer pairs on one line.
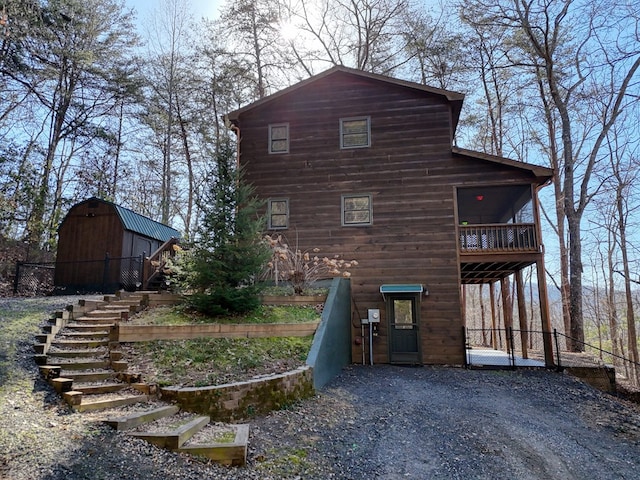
{"points": [[79, 356]]}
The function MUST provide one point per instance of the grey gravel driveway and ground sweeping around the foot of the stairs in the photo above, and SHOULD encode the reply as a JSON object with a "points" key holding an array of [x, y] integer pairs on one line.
{"points": [[379, 422]]}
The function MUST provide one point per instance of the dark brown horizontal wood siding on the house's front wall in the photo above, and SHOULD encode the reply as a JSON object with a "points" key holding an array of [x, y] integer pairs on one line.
{"points": [[410, 173]]}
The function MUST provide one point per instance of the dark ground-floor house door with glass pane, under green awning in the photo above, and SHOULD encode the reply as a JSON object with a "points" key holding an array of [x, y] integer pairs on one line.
{"points": [[404, 338]]}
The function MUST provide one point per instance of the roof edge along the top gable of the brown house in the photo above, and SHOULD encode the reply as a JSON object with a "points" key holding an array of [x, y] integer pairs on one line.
{"points": [[454, 98]]}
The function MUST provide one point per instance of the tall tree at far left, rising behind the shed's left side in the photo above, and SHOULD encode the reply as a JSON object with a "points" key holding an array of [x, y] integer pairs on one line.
{"points": [[71, 63]]}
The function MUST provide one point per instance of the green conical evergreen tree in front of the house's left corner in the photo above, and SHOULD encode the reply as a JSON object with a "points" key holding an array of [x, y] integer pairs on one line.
{"points": [[228, 253]]}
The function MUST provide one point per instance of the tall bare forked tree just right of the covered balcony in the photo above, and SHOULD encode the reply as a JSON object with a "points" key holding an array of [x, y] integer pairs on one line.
{"points": [[584, 80]]}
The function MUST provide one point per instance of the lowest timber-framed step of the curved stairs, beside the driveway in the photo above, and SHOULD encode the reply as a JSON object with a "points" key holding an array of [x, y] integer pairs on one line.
{"points": [[232, 453]]}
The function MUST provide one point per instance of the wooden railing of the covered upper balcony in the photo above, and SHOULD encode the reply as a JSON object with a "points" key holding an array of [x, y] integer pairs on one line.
{"points": [[492, 238]]}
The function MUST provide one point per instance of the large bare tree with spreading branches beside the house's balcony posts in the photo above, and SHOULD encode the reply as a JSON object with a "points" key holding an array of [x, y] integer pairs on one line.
{"points": [[577, 66]]}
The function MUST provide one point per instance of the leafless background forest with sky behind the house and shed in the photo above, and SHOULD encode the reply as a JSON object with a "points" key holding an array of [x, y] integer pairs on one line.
{"points": [[553, 83]]}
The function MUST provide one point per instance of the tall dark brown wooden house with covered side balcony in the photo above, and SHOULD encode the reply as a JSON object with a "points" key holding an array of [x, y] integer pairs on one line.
{"points": [[362, 165]]}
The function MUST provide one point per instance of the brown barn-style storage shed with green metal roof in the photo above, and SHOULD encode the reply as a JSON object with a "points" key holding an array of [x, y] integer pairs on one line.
{"points": [[102, 247]]}
